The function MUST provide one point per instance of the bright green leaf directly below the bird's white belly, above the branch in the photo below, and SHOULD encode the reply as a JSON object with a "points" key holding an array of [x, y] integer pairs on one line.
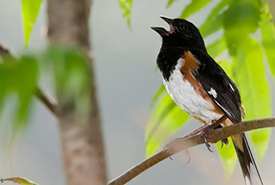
{"points": [[166, 120]]}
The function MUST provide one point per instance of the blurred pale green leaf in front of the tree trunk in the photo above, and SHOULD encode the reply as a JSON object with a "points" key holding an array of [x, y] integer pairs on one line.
{"points": [[72, 77]]}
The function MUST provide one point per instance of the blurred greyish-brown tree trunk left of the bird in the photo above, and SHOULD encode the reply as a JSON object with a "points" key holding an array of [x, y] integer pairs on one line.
{"points": [[81, 138]]}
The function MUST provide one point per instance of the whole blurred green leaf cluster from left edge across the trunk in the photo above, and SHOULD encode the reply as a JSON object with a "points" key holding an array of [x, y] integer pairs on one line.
{"points": [[20, 77]]}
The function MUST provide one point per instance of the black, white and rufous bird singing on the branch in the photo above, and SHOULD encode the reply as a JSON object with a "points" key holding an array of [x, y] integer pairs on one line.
{"points": [[199, 86]]}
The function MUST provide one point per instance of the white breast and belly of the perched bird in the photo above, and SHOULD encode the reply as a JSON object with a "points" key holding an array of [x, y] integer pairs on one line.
{"points": [[185, 96]]}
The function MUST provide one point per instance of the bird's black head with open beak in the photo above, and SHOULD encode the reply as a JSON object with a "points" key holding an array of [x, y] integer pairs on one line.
{"points": [[182, 33]]}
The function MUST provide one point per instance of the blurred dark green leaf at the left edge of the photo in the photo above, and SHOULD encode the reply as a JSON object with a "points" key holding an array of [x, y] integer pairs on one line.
{"points": [[19, 77]]}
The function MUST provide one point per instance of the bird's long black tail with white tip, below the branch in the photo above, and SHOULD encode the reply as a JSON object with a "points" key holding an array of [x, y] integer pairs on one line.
{"points": [[247, 162]]}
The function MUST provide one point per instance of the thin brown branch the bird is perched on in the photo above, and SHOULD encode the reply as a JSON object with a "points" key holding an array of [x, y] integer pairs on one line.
{"points": [[182, 144]]}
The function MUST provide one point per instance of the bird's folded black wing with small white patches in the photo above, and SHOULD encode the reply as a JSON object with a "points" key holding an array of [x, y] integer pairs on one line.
{"points": [[218, 86]]}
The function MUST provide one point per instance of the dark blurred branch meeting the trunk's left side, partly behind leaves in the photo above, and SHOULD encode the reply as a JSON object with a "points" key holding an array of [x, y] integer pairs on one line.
{"points": [[50, 103]]}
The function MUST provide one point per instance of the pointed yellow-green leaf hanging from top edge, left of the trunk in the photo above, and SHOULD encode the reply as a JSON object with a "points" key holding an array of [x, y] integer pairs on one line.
{"points": [[30, 10]]}
